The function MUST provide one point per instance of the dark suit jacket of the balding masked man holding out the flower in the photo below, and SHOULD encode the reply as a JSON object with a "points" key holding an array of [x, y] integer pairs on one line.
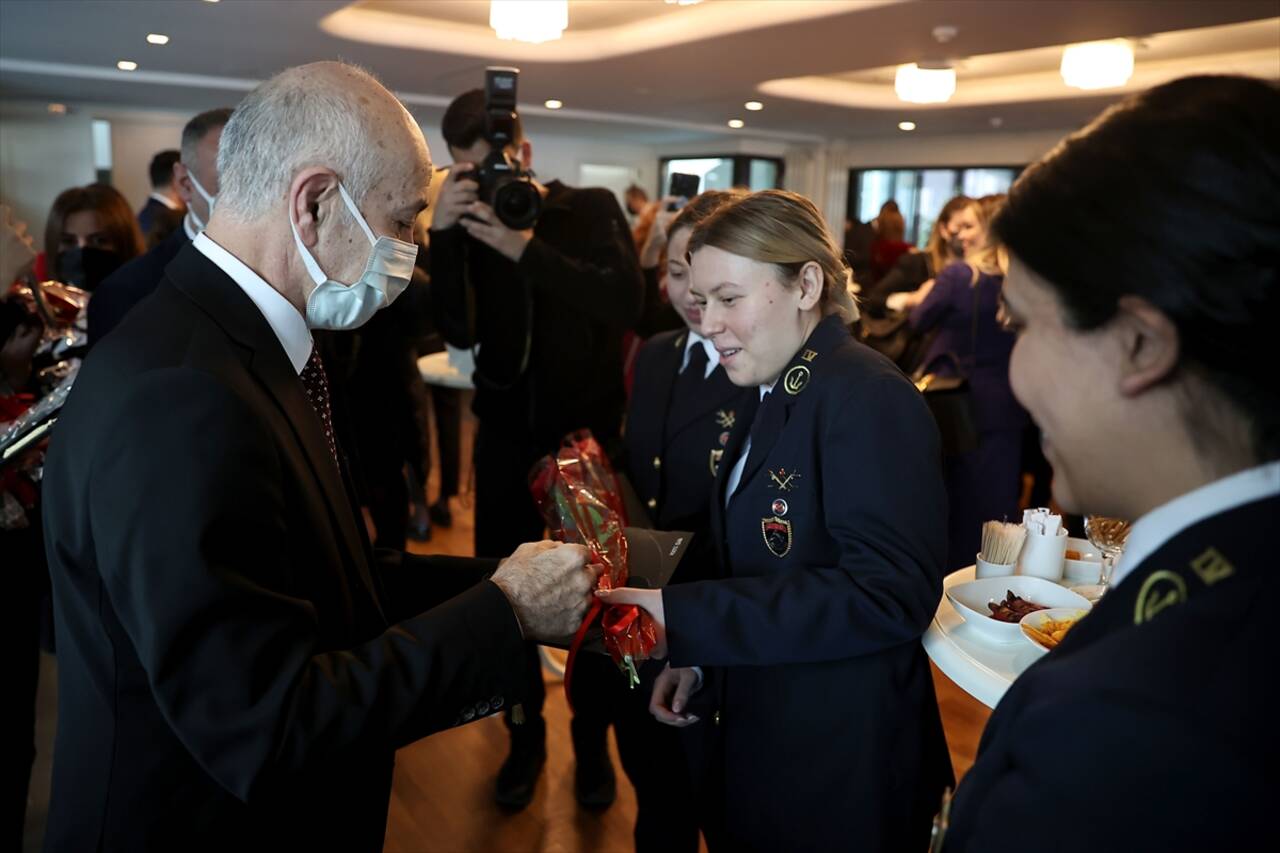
{"points": [[236, 669]]}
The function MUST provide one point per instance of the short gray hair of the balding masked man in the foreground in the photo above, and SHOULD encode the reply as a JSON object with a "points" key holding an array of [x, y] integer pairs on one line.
{"points": [[286, 125]]}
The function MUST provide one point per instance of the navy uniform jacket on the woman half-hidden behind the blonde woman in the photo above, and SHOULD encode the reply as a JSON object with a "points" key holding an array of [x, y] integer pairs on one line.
{"points": [[674, 455]]}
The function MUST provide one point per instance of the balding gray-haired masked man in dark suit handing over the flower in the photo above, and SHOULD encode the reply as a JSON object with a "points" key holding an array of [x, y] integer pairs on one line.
{"points": [[236, 665]]}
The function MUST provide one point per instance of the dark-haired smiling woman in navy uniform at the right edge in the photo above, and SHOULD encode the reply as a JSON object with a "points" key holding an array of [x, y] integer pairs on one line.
{"points": [[1145, 288]]}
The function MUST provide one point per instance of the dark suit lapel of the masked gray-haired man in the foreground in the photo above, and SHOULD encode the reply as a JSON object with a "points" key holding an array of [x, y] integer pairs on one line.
{"points": [[202, 281]]}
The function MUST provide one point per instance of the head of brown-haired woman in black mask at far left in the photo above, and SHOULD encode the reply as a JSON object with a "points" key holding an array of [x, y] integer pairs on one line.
{"points": [[90, 232]]}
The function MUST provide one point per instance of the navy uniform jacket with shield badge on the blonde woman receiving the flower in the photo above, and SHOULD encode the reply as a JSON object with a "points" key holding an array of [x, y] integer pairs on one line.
{"points": [[820, 728]]}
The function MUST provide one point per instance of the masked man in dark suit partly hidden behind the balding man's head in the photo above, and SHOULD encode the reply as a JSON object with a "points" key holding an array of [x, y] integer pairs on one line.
{"points": [[195, 177]]}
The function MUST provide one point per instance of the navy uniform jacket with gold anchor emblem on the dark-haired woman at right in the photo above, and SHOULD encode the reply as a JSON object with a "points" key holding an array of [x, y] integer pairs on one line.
{"points": [[1153, 727]]}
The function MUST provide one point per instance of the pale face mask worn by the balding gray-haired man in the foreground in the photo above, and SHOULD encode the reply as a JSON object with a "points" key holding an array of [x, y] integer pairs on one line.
{"points": [[335, 305]]}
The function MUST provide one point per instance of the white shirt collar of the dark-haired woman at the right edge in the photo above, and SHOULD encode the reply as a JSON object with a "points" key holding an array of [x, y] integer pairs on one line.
{"points": [[1168, 521]]}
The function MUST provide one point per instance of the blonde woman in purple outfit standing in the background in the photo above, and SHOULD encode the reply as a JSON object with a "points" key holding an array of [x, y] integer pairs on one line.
{"points": [[984, 483]]}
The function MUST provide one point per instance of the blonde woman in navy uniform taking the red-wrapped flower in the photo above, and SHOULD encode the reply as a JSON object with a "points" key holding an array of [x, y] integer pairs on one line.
{"points": [[799, 672]]}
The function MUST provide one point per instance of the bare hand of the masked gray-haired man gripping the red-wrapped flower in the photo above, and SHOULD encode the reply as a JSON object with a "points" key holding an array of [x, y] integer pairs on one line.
{"points": [[550, 587]]}
